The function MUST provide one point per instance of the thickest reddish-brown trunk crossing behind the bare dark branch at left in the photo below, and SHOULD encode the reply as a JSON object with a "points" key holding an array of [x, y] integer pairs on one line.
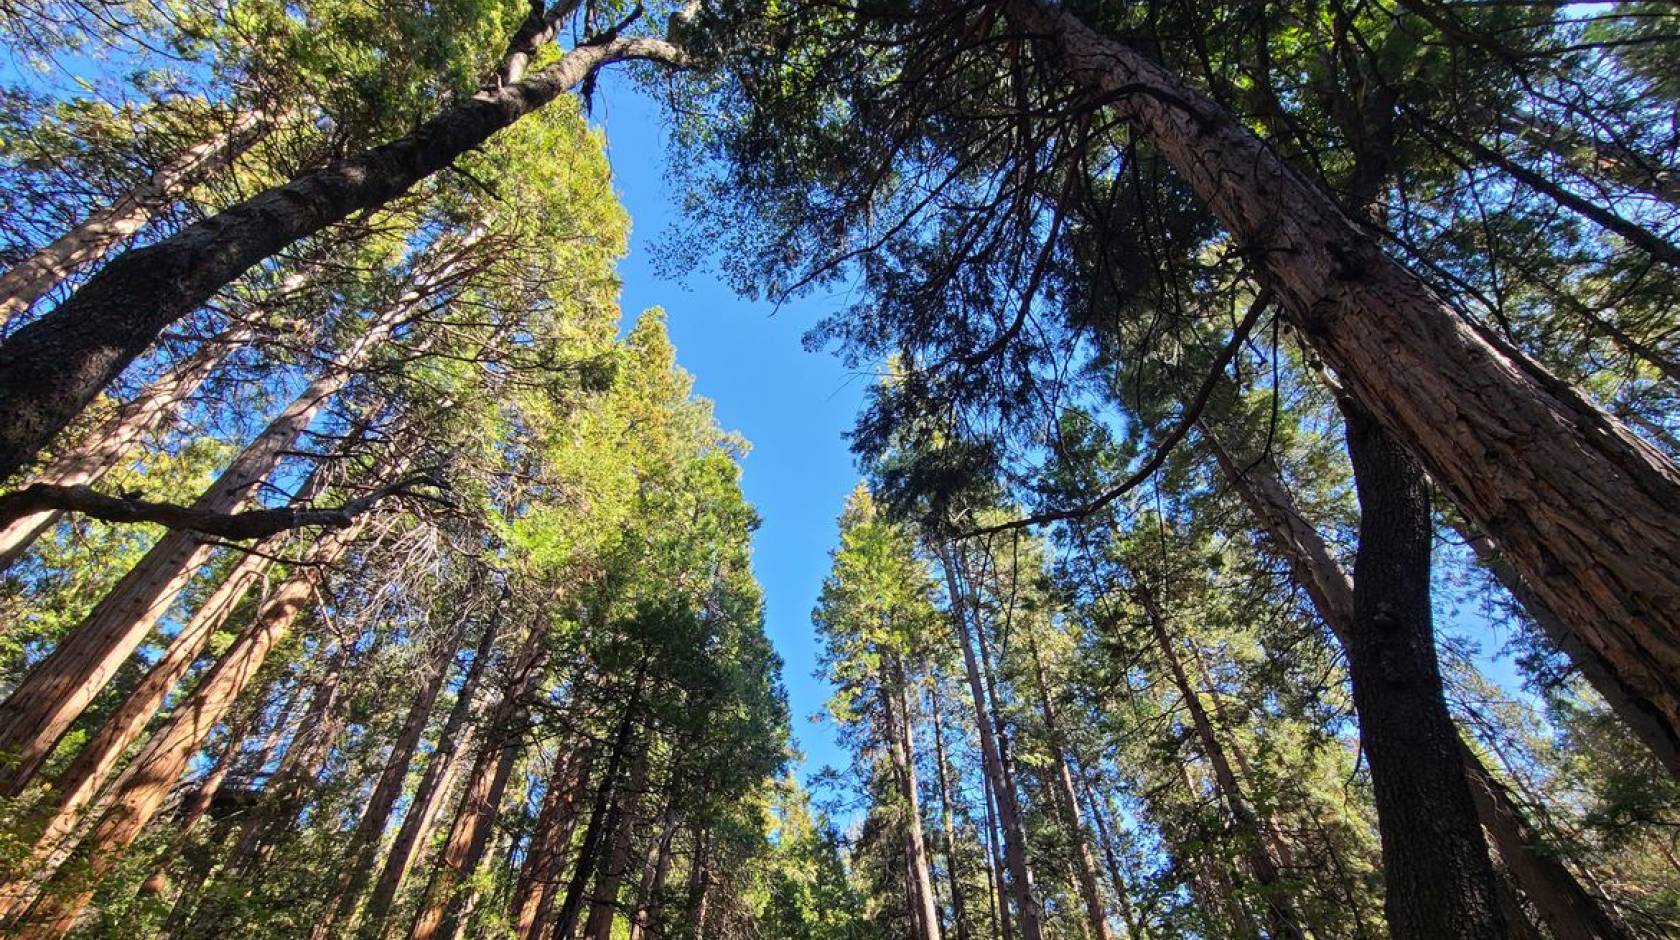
{"points": [[56, 692]]}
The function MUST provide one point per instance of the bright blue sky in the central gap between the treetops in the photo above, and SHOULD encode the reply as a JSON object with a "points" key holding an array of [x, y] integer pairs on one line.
{"points": [[792, 405]]}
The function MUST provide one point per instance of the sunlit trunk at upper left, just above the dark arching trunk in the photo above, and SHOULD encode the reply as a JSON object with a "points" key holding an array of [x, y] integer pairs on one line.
{"points": [[105, 229]]}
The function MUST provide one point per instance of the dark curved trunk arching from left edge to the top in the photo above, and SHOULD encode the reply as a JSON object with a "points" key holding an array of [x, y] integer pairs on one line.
{"points": [[56, 365]]}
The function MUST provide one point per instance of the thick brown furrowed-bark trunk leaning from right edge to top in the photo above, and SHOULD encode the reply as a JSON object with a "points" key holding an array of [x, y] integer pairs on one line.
{"points": [[1521, 454]]}
